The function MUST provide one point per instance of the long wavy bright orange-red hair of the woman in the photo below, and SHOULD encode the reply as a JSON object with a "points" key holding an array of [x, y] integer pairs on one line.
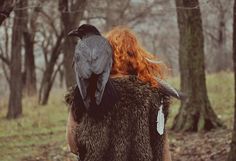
{"points": [[130, 58]]}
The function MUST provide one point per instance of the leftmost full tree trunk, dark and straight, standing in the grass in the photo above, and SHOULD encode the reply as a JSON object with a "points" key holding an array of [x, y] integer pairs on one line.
{"points": [[15, 99]]}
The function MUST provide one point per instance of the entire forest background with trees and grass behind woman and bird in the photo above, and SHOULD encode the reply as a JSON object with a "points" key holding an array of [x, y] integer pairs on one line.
{"points": [[195, 39]]}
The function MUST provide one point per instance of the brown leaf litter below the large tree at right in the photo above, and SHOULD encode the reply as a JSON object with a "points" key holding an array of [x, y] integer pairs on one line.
{"points": [[211, 146]]}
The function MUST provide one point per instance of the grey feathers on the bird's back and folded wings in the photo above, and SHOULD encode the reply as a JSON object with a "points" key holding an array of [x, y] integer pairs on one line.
{"points": [[92, 55]]}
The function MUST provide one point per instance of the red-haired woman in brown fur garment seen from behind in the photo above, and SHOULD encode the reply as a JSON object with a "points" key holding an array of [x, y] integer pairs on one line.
{"points": [[129, 59]]}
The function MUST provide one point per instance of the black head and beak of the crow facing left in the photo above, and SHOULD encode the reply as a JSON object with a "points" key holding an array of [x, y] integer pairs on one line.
{"points": [[84, 31]]}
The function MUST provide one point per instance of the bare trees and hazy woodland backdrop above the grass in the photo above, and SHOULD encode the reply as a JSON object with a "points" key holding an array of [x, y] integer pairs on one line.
{"points": [[194, 38]]}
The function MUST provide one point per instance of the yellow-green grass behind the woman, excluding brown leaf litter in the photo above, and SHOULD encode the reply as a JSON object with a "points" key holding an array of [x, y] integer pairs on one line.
{"points": [[40, 133]]}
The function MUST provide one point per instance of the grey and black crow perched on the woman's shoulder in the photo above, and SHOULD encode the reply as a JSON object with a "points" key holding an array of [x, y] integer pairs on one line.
{"points": [[93, 60]]}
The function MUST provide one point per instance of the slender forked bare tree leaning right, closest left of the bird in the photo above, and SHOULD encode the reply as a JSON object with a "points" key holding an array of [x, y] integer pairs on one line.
{"points": [[51, 46]]}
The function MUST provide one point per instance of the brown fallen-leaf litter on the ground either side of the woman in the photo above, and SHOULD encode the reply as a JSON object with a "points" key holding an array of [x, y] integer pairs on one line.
{"points": [[212, 146]]}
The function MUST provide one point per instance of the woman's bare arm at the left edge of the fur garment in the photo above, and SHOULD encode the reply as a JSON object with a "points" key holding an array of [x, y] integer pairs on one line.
{"points": [[71, 134]]}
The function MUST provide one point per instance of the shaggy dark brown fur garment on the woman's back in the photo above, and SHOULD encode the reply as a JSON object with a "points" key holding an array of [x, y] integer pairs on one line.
{"points": [[125, 132]]}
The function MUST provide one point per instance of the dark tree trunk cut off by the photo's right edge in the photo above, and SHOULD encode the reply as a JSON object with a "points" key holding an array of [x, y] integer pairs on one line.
{"points": [[232, 153]]}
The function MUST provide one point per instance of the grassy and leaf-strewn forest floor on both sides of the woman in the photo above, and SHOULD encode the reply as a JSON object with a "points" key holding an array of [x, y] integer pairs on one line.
{"points": [[39, 135]]}
